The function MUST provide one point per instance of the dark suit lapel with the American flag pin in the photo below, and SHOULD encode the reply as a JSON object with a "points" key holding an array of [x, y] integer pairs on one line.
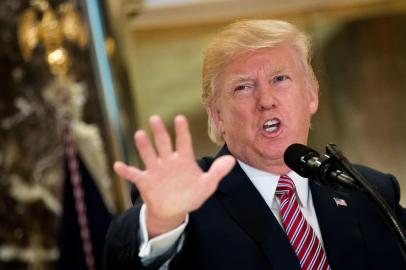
{"points": [[341, 234]]}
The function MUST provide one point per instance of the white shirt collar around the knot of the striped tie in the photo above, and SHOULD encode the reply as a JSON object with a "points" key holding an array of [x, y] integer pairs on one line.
{"points": [[266, 183]]}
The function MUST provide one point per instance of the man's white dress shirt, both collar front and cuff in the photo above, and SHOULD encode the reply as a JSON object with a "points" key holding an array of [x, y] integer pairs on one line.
{"points": [[264, 182]]}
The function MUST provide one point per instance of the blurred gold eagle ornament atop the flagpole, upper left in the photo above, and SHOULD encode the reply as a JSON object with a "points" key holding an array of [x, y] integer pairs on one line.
{"points": [[51, 31]]}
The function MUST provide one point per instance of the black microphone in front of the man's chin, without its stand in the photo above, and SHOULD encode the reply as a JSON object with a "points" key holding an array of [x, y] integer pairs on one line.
{"points": [[308, 163]]}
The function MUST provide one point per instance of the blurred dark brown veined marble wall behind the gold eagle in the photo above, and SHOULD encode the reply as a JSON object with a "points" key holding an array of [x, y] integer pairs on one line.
{"points": [[31, 146]]}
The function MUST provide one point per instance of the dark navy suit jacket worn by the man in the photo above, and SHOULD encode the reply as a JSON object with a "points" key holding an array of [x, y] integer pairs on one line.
{"points": [[235, 229]]}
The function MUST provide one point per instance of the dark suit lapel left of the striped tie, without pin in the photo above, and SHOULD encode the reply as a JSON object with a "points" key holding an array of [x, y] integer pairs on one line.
{"points": [[245, 204]]}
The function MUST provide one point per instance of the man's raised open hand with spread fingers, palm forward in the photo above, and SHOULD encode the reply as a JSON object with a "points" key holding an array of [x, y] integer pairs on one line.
{"points": [[172, 184]]}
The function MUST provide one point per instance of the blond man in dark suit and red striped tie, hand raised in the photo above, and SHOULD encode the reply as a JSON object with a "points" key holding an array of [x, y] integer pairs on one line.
{"points": [[244, 208]]}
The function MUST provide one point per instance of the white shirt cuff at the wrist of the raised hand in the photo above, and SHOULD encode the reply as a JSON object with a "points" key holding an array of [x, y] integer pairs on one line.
{"points": [[159, 245]]}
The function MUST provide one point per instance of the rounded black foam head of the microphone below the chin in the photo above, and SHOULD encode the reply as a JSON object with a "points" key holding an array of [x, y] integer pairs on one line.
{"points": [[296, 156]]}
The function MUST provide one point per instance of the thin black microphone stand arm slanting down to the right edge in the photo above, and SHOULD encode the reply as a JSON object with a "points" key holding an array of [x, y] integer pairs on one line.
{"points": [[358, 182]]}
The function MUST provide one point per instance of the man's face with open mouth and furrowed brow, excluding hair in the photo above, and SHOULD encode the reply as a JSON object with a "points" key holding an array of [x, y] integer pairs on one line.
{"points": [[265, 103]]}
